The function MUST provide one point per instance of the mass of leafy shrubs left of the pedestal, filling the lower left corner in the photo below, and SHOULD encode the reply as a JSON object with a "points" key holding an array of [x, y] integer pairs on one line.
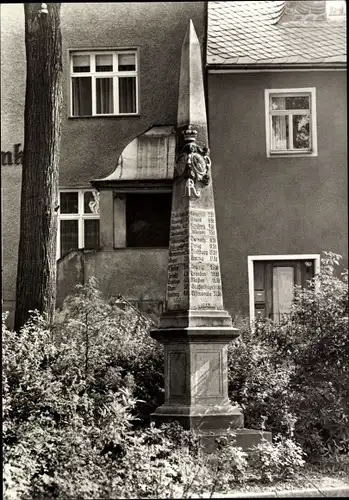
{"points": [[70, 413]]}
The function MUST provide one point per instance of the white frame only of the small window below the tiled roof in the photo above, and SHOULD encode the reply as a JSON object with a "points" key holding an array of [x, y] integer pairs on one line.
{"points": [[268, 93]]}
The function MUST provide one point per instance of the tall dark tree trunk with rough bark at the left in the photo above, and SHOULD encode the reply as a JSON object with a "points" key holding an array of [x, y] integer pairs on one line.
{"points": [[36, 272]]}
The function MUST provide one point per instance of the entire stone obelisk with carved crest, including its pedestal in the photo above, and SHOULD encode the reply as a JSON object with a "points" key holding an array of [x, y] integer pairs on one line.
{"points": [[194, 328]]}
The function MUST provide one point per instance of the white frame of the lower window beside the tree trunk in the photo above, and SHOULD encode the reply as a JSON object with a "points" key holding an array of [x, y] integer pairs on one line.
{"points": [[80, 217]]}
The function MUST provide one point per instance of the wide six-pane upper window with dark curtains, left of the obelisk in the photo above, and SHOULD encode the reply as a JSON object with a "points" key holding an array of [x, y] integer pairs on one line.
{"points": [[103, 83]]}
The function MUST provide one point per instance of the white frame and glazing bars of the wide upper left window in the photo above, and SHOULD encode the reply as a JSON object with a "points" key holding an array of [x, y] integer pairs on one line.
{"points": [[115, 75]]}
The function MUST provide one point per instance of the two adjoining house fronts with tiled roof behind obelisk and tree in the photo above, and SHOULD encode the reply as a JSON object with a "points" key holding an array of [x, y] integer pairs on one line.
{"points": [[276, 98]]}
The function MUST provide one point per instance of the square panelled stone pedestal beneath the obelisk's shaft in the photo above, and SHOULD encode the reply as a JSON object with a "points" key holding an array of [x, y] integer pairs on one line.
{"points": [[196, 379]]}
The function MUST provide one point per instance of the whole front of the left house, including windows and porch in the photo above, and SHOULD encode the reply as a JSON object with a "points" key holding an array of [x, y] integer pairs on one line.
{"points": [[121, 64]]}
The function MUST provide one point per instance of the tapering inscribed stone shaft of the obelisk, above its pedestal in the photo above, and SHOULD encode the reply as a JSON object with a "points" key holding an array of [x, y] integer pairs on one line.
{"points": [[194, 289]]}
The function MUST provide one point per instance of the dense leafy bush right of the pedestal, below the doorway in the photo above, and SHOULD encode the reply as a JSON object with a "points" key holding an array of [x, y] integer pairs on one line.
{"points": [[296, 374]]}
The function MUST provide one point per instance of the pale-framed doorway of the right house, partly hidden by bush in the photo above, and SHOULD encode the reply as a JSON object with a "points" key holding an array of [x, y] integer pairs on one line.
{"points": [[272, 279]]}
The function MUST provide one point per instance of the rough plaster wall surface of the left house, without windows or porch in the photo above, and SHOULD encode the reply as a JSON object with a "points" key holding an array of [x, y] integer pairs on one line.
{"points": [[90, 147]]}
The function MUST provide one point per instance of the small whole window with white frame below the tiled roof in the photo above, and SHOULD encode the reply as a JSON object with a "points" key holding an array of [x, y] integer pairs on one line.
{"points": [[290, 122]]}
